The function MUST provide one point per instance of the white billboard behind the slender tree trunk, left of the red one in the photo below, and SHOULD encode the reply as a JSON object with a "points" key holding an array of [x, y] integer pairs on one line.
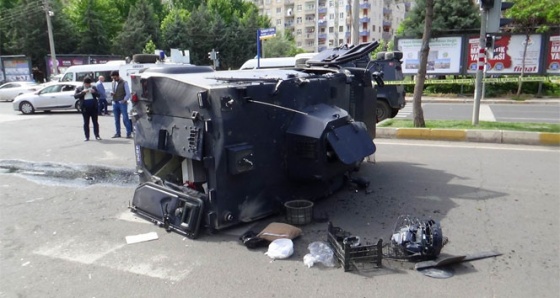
{"points": [[444, 56]]}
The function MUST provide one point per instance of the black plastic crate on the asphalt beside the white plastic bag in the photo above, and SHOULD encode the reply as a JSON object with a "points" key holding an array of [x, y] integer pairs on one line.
{"points": [[357, 257]]}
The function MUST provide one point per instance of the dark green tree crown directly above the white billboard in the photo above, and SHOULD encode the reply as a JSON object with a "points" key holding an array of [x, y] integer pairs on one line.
{"points": [[452, 16]]}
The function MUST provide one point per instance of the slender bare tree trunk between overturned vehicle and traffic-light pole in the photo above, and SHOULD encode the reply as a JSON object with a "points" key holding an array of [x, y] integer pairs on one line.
{"points": [[417, 111]]}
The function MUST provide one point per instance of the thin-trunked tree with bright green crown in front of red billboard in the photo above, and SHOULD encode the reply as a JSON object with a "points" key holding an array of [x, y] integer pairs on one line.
{"points": [[533, 17]]}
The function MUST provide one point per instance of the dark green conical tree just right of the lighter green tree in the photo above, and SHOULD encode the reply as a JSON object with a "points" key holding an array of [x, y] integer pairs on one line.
{"points": [[141, 26]]}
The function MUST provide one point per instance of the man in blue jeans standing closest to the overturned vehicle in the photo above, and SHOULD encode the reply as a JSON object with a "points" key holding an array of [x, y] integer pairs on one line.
{"points": [[121, 94]]}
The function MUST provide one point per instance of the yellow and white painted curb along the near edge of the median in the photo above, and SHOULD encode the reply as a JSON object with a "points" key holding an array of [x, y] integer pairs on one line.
{"points": [[465, 135]]}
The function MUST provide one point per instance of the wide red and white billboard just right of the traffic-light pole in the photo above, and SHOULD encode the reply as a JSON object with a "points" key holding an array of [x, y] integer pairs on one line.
{"points": [[508, 55]]}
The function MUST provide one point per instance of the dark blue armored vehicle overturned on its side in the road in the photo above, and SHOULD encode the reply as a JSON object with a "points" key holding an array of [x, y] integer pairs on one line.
{"points": [[214, 149]]}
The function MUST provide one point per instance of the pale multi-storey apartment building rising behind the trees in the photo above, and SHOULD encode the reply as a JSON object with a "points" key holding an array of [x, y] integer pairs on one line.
{"points": [[319, 24]]}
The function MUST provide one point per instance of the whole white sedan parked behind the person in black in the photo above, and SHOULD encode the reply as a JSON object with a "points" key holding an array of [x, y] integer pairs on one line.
{"points": [[57, 96]]}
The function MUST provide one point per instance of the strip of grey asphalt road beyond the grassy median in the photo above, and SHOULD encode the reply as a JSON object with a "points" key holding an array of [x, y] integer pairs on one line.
{"points": [[545, 113]]}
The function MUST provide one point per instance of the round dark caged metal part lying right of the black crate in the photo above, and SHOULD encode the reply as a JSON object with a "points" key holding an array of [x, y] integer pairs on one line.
{"points": [[415, 239]]}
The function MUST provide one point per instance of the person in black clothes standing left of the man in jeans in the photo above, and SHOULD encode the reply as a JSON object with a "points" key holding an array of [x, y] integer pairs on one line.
{"points": [[88, 95]]}
